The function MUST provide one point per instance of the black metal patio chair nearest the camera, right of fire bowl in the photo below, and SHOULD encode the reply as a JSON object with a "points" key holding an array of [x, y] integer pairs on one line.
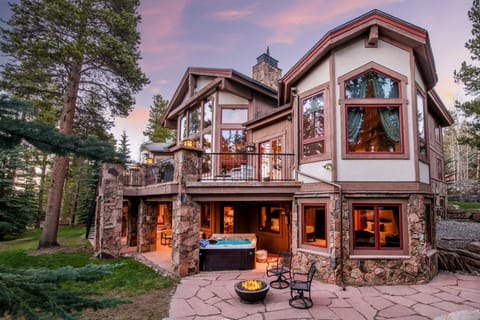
{"points": [[301, 283]]}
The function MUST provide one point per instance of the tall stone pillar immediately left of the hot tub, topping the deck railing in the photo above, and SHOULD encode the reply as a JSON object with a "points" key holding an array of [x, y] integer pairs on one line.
{"points": [[186, 214]]}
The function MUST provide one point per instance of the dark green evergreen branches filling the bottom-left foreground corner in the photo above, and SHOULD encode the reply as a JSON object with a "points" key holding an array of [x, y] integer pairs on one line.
{"points": [[40, 294]]}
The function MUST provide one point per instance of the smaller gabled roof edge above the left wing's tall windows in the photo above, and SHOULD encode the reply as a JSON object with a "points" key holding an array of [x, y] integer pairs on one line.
{"points": [[219, 78]]}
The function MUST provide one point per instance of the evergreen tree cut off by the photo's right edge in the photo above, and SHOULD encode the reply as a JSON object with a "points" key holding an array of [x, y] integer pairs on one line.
{"points": [[469, 75]]}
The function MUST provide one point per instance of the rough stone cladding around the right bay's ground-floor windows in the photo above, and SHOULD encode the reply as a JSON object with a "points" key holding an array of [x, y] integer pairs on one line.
{"points": [[419, 265]]}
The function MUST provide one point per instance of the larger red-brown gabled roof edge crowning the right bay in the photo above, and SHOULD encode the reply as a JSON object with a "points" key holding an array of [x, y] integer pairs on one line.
{"points": [[388, 26]]}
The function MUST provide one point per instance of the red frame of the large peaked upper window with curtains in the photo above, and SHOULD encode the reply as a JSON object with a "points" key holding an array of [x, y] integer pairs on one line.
{"points": [[401, 102]]}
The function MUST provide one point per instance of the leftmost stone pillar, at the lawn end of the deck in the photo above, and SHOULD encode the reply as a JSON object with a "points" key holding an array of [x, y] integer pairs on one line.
{"points": [[109, 212]]}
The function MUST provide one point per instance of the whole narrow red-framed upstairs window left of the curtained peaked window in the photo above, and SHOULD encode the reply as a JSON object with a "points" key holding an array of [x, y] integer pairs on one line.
{"points": [[313, 125]]}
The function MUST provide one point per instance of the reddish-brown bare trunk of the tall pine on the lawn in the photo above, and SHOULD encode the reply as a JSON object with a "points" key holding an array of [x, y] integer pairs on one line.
{"points": [[59, 171]]}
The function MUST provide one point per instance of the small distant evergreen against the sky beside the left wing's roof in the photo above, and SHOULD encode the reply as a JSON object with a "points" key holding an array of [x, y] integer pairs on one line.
{"points": [[156, 132]]}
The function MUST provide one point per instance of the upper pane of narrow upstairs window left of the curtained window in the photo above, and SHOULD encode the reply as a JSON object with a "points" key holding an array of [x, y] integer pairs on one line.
{"points": [[313, 117]]}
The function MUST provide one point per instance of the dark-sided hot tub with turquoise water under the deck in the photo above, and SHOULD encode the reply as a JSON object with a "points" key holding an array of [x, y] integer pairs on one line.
{"points": [[227, 254]]}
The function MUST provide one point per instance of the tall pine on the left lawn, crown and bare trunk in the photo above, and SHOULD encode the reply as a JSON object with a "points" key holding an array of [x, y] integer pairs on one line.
{"points": [[65, 48]]}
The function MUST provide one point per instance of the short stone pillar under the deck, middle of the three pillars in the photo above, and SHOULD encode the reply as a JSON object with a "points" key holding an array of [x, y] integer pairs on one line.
{"points": [[147, 227]]}
